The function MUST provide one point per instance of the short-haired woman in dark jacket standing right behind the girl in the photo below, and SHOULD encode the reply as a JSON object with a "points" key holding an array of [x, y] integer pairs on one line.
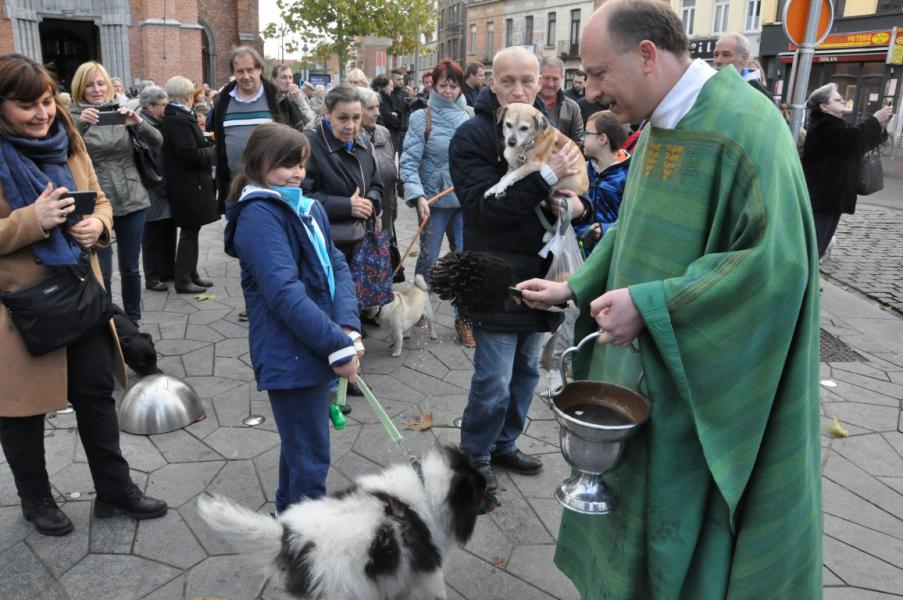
{"points": [[341, 172]]}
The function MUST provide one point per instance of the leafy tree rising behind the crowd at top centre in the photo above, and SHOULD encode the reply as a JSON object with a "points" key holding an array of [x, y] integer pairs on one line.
{"points": [[335, 26]]}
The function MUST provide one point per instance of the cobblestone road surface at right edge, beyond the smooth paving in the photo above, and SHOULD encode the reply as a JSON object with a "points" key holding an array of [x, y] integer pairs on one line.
{"points": [[868, 256]]}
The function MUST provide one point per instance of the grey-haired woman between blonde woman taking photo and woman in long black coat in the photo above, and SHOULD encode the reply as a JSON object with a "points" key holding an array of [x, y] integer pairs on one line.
{"points": [[159, 243]]}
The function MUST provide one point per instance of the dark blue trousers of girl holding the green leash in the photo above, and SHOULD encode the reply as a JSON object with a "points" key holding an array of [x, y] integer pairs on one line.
{"points": [[302, 418]]}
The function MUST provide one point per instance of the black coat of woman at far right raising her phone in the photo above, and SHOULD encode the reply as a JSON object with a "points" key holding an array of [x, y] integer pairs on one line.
{"points": [[831, 159]]}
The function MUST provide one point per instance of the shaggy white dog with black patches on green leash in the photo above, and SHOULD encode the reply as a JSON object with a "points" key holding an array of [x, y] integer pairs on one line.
{"points": [[384, 538]]}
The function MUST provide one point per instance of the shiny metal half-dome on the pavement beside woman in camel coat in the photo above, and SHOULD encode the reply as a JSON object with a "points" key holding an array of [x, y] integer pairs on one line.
{"points": [[159, 404]]}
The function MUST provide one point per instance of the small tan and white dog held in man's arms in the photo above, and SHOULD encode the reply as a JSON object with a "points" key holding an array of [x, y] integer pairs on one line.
{"points": [[529, 142]]}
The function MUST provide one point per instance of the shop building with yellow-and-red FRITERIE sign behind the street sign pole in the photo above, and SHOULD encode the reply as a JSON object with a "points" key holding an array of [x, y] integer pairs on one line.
{"points": [[862, 54]]}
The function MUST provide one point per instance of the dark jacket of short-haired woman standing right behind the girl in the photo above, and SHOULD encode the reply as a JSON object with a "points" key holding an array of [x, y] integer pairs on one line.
{"points": [[333, 172]]}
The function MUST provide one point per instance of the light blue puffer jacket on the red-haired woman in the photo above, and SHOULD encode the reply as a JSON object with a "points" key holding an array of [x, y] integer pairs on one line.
{"points": [[424, 166]]}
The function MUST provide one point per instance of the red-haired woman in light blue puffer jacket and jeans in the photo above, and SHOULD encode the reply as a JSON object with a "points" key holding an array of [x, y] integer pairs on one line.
{"points": [[424, 170]]}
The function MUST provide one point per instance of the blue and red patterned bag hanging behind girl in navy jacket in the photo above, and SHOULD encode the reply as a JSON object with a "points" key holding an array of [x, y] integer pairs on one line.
{"points": [[371, 268]]}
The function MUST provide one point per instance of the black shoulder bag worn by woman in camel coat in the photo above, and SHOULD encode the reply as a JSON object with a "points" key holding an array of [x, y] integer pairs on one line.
{"points": [[58, 310]]}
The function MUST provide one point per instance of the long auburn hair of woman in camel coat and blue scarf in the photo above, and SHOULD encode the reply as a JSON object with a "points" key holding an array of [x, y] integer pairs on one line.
{"points": [[24, 80]]}
